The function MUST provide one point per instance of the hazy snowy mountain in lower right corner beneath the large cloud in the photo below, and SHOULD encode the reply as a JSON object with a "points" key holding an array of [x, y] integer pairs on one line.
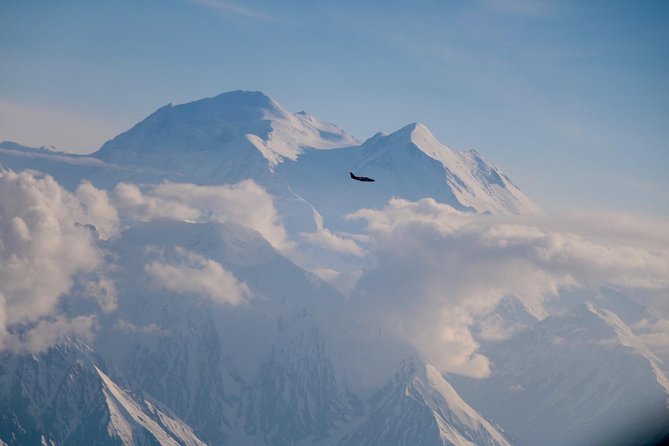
{"points": [[581, 378]]}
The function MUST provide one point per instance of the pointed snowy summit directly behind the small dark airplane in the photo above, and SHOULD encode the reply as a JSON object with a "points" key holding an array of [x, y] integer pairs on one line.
{"points": [[410, 164]]}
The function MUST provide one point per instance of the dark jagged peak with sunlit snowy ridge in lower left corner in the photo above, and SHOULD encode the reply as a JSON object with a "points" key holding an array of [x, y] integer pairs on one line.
{"points": [[62, 397]]}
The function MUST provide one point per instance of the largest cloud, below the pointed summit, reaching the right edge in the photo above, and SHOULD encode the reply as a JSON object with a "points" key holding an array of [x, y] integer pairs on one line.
{"points": [[436, 271]]}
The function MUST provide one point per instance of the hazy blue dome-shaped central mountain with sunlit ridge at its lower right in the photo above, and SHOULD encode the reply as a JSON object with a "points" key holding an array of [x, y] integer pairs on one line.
{"points": [[278, 369]]}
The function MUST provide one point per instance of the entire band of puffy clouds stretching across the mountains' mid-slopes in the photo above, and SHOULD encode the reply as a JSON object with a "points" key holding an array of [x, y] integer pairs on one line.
{"points": [[434, 275]]}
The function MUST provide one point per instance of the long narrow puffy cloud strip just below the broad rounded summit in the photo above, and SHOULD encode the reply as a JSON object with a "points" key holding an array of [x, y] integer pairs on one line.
{"points": [[244, 203]]}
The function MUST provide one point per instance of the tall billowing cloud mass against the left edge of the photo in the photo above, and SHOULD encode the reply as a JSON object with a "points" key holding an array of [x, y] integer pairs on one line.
{"points": [[42, 248]]}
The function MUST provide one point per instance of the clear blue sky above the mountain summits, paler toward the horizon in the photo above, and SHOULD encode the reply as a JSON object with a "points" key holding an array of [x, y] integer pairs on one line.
{"points": [[571, 99]]}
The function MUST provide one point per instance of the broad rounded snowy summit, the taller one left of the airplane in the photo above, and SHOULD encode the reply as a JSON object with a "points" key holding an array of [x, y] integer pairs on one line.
{"points": [[229, 119]]}
